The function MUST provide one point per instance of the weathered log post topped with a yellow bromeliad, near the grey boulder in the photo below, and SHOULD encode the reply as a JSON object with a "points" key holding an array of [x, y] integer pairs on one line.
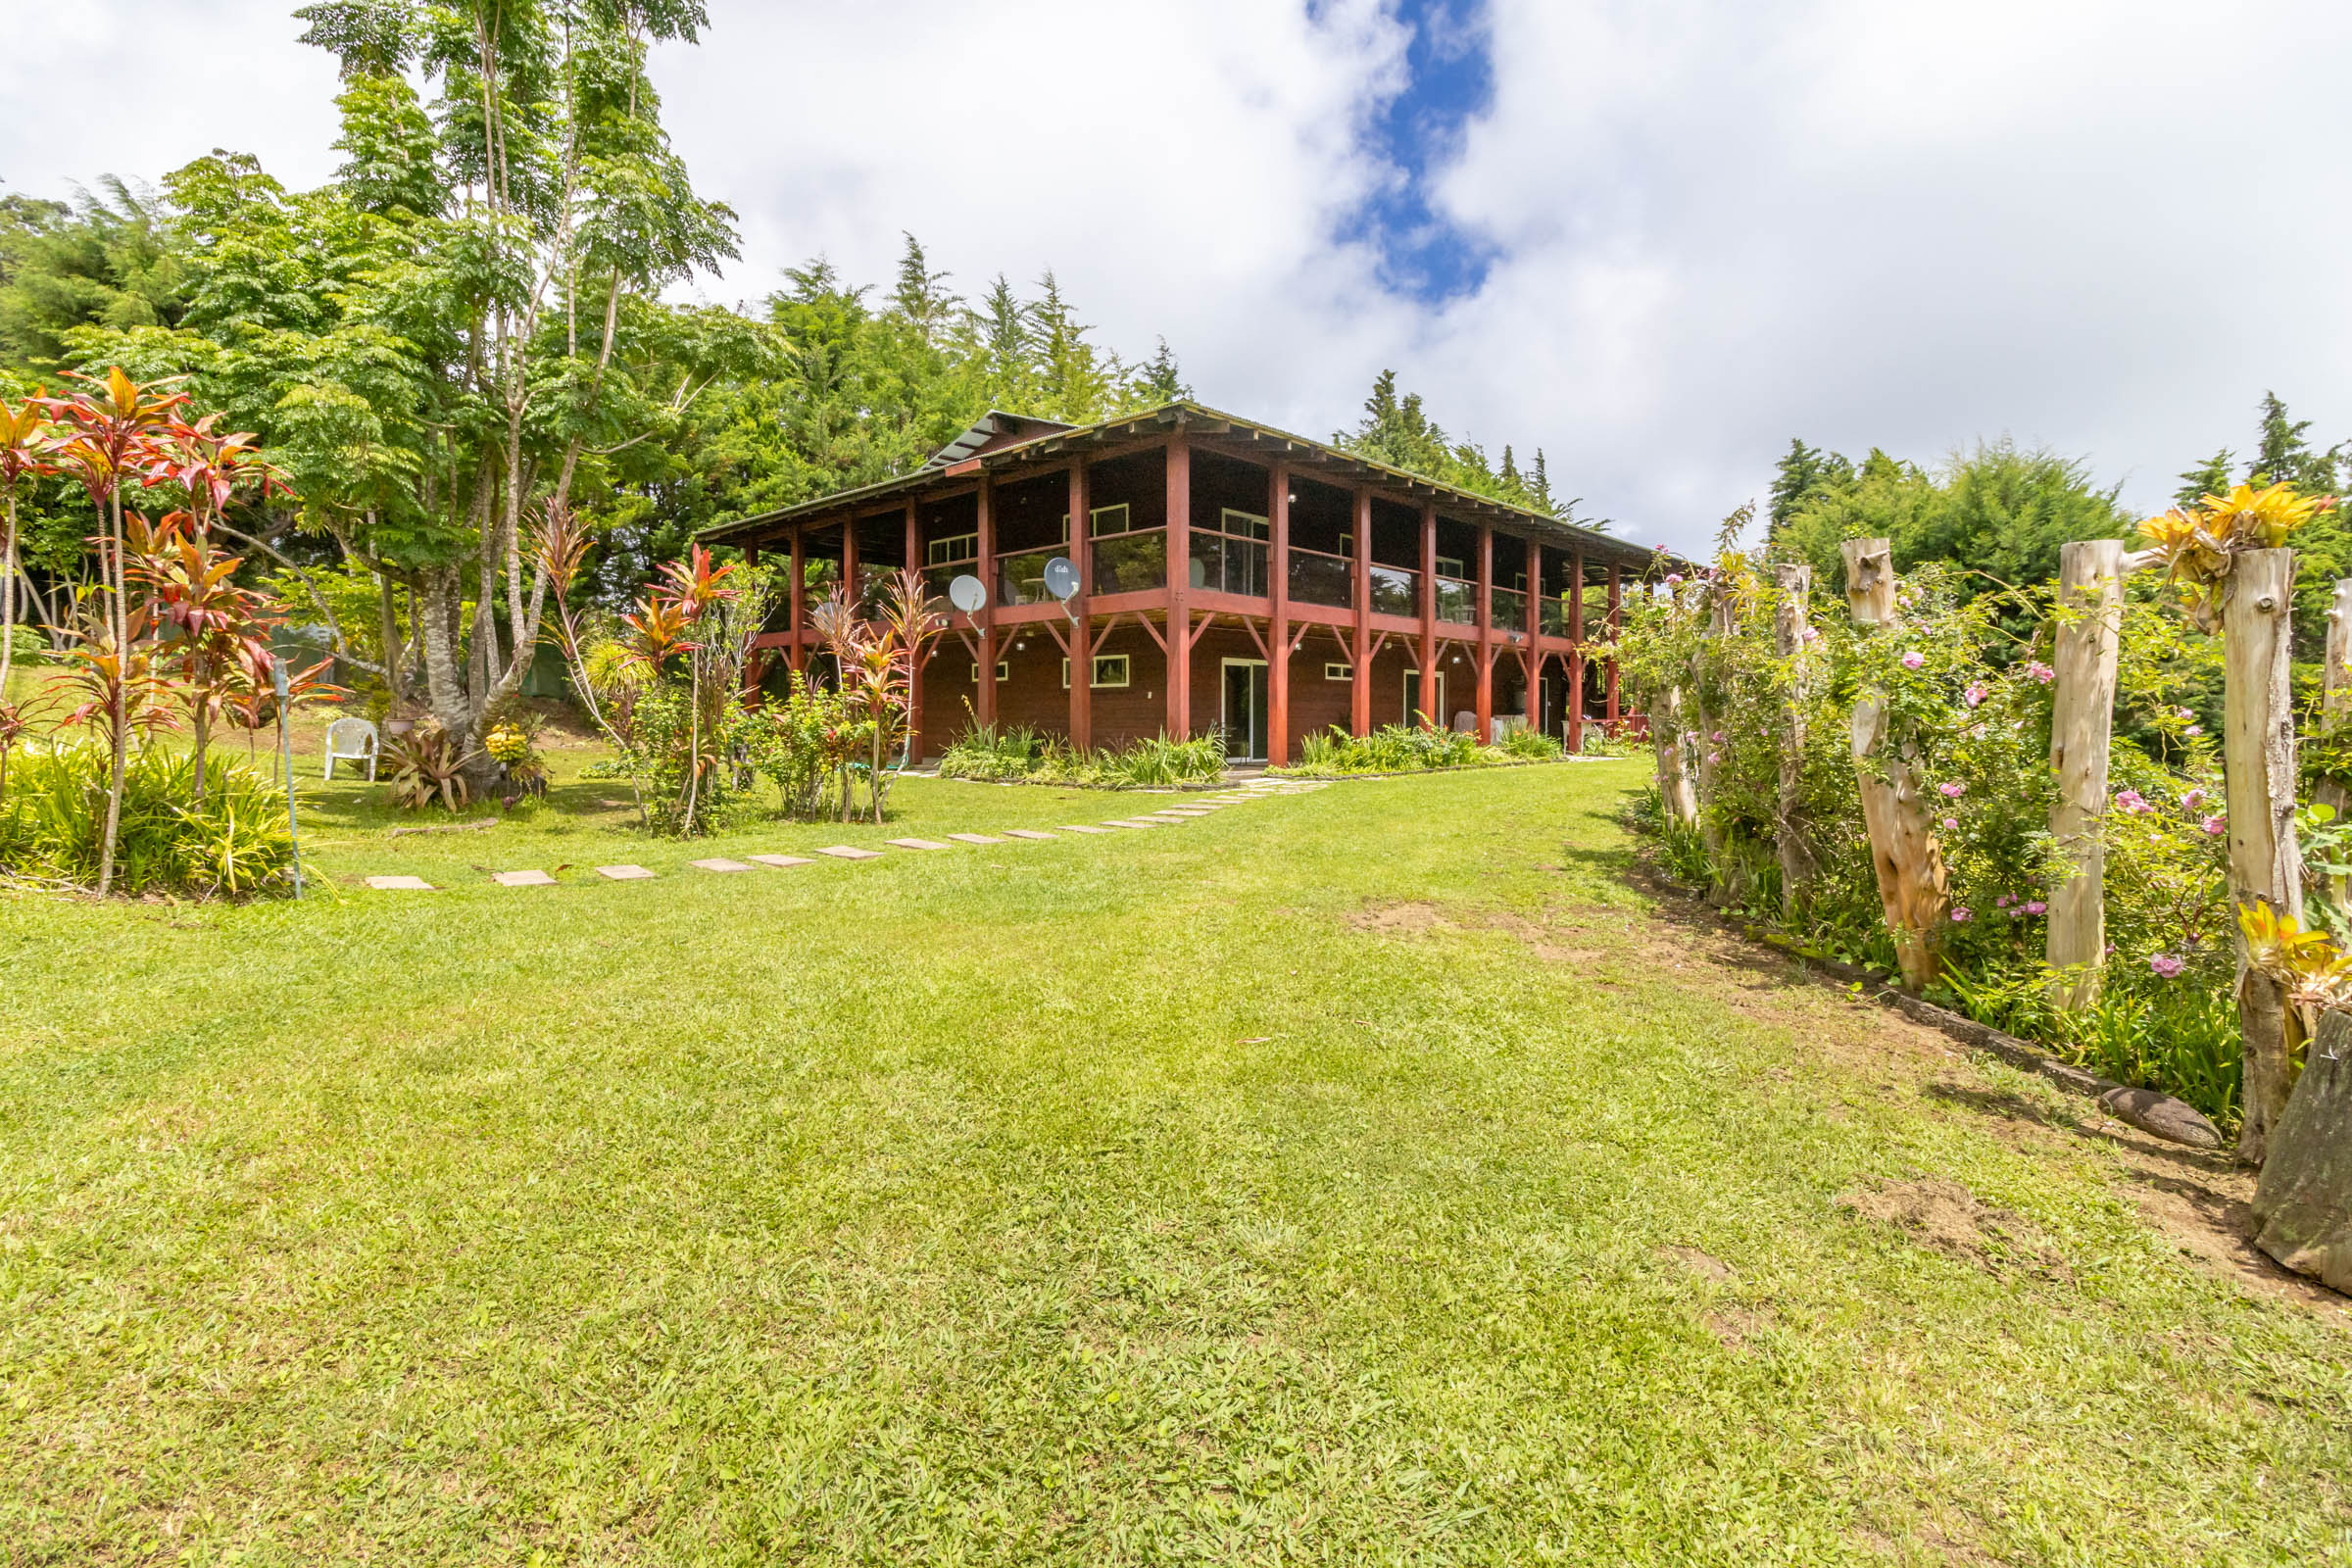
{"points": [[2266, 869]]}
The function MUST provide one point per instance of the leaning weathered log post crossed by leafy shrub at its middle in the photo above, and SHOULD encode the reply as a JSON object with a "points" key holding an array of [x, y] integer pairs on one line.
{"points": [[1904, 852]]}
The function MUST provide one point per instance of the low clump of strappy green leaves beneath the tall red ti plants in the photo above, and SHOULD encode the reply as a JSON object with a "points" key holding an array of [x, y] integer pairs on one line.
{"points": [[229, 845]]}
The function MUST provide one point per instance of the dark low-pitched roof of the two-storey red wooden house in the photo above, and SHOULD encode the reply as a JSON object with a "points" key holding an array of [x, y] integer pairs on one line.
{"points": [[1304, 455]]}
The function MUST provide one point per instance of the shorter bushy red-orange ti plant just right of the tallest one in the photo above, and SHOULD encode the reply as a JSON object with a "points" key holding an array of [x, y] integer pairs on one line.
{"points": [[213, 634]]}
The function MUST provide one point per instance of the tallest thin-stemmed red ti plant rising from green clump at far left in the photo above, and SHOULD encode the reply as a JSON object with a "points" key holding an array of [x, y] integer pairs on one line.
{"points": [[109, 436]]}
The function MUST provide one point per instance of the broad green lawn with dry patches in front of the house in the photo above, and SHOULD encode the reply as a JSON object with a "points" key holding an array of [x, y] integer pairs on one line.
{"points": [[1351, 1177]]}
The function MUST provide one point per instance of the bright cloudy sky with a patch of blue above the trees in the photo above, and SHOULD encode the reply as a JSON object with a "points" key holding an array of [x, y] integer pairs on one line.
{"points": [[1655, 239]]}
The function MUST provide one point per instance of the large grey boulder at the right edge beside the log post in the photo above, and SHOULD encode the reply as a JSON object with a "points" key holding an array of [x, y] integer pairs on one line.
{"points": [[2304, 1202]]}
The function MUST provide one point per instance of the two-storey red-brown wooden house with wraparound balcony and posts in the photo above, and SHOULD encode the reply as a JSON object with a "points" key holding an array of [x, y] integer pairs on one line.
{"points": [[1234, 579]]}
